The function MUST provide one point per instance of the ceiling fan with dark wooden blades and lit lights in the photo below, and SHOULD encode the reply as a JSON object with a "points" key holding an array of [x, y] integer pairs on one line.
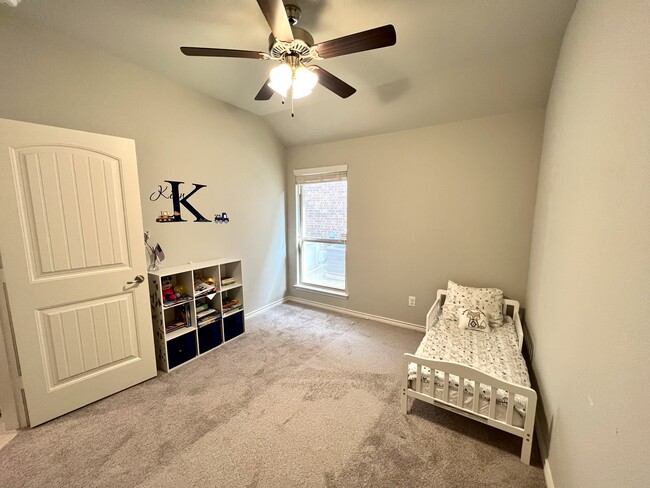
{"points": [[294, 48]]}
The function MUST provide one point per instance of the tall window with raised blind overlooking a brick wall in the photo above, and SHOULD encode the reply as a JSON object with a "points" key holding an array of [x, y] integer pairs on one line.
{"points": [[322, 208]]}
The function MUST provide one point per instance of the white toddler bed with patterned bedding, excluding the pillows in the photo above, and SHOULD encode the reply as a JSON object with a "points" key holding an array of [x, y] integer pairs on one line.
{"points": [[481, 362]]}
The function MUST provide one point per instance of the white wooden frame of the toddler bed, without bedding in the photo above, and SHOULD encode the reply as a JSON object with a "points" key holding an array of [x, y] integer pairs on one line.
{"points": [[425, 393]]}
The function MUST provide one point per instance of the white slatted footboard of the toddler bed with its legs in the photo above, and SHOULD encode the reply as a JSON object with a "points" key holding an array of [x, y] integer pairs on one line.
{"points": [[426, 391]]}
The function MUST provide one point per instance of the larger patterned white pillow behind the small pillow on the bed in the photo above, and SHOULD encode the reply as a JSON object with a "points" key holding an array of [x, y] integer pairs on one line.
{"points": [[488, 300]]}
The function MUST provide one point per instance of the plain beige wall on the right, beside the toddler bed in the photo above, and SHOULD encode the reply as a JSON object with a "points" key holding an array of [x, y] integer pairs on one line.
{"points": [[588, 300]]}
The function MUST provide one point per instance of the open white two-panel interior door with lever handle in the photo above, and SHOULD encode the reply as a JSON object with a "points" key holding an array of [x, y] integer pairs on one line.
{"points": [[71, 241]]}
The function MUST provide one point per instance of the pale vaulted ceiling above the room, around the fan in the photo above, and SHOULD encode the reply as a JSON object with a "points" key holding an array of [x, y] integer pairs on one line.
{"points": [[454, 59]]}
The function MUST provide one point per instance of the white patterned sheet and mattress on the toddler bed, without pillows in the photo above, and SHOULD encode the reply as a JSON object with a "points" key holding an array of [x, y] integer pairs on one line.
{"points": [[496, 354]]}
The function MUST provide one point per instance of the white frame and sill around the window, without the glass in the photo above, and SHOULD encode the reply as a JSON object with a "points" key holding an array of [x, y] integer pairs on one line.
{"points": [[317, 175]]}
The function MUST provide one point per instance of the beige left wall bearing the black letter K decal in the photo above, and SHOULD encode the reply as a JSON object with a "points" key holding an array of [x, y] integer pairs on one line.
{"points": [[179, 134]]}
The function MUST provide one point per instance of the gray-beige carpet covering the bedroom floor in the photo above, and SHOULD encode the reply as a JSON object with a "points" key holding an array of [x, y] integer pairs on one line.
{"points": [[305, 398]]}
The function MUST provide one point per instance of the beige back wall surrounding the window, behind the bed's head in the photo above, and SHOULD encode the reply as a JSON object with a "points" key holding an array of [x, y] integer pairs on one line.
{"points": [[453, 201]]}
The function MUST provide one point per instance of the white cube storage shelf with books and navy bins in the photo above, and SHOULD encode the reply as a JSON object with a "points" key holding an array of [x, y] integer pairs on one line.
{"points": [[201, 320]]}
